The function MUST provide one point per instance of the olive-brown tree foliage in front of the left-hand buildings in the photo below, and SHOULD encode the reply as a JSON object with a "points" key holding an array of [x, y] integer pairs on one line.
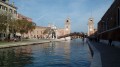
{"points": [[21, 26]]}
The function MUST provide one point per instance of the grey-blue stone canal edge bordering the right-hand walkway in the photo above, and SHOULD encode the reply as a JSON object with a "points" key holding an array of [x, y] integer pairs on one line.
{"points": [[96, 57]]}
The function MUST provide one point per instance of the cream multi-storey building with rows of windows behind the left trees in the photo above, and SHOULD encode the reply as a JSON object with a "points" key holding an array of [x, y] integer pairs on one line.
{"points": [[10, 10]]}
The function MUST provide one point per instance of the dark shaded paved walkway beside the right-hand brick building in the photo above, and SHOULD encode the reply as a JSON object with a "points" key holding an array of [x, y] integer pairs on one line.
{"points": [[110, 55]]}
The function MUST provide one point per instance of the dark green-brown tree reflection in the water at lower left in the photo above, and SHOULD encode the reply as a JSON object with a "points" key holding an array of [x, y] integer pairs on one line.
{"points": [[15, 57]]}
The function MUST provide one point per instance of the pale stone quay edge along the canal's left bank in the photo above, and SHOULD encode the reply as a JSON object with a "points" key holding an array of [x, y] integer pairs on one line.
{"points": [[24, 42]]}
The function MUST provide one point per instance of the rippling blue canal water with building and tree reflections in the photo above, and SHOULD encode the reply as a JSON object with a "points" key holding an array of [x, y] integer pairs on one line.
{"points": [[55, 54]]}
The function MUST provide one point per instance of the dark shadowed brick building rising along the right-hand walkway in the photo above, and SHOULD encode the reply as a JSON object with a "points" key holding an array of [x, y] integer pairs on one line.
{"points": [[109, 25]]}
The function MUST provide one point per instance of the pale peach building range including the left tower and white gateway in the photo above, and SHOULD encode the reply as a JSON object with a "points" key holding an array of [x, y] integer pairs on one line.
{"points": [[38, 32]]}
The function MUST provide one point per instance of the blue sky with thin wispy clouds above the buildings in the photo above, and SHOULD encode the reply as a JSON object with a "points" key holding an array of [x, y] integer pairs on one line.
{"points": [[44, 12]]}
